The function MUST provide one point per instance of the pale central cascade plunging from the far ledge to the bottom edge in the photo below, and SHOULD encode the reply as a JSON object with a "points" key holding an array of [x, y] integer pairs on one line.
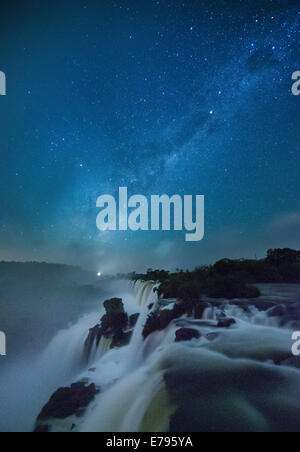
{"points": [[120, 373]]}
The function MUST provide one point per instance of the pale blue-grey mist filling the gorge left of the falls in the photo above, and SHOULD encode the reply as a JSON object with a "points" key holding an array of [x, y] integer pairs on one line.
{"points": [[39, 302]]}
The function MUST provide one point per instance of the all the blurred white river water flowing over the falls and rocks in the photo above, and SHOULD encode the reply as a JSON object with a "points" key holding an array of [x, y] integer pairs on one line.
{"points": [[133, 393]]}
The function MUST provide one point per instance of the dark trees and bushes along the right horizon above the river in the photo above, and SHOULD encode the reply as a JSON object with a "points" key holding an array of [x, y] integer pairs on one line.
{"points": [[228, 278]]}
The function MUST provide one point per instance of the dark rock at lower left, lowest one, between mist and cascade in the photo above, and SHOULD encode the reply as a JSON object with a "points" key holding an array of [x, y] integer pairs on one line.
{"points": [[69, 401]]}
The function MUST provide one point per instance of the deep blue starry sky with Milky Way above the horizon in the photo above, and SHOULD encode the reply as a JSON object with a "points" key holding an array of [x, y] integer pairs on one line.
{"points": [[164, 96]]}
